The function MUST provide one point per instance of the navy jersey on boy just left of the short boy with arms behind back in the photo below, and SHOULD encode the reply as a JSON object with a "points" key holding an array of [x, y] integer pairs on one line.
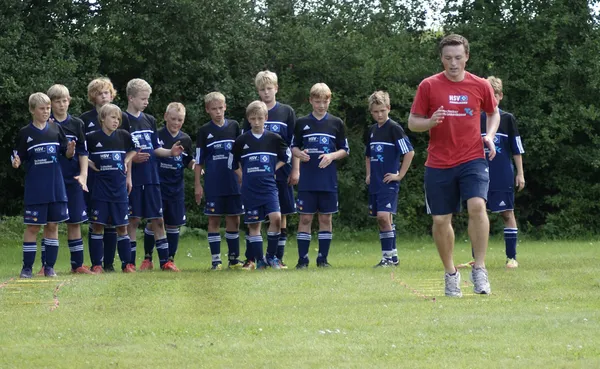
{"points": [[214, 147]]}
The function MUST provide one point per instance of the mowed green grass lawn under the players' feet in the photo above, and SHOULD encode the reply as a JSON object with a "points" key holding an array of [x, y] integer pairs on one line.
{"points": [[546, 314]]}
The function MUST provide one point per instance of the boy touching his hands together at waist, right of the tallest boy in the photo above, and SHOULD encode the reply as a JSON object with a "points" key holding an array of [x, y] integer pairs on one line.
{"points": [[319, 140]]}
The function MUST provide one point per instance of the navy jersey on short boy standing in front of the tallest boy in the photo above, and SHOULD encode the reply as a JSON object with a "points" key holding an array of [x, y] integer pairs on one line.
{"points": [[258, 158]]}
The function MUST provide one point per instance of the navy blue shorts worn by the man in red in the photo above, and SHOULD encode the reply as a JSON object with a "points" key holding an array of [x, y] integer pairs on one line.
{"points": [[446, 189]]}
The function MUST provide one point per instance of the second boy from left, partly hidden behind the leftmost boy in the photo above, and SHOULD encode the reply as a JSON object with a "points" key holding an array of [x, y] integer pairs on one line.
{"points": [[74, 172]]}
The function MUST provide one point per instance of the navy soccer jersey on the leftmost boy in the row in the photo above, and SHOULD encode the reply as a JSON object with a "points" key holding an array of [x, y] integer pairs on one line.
{"points": [[39, 150]]}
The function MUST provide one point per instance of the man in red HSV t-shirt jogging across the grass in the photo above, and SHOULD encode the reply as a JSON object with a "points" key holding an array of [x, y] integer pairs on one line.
{"points": [[448, 105]]}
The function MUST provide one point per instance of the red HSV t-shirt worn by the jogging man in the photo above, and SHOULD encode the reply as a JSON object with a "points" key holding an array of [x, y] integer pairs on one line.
{"points": [[457, 139]]}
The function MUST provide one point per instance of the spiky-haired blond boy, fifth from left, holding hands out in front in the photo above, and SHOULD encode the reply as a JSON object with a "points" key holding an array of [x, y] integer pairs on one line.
{"points": [[145, 199]]}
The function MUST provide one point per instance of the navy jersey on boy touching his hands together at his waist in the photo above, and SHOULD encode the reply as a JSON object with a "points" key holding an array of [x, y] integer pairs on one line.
{"points": [[319, 137]]}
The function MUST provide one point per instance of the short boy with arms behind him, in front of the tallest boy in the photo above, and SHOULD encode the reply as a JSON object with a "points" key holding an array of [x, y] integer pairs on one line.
{"points": [[259, 154]]}
